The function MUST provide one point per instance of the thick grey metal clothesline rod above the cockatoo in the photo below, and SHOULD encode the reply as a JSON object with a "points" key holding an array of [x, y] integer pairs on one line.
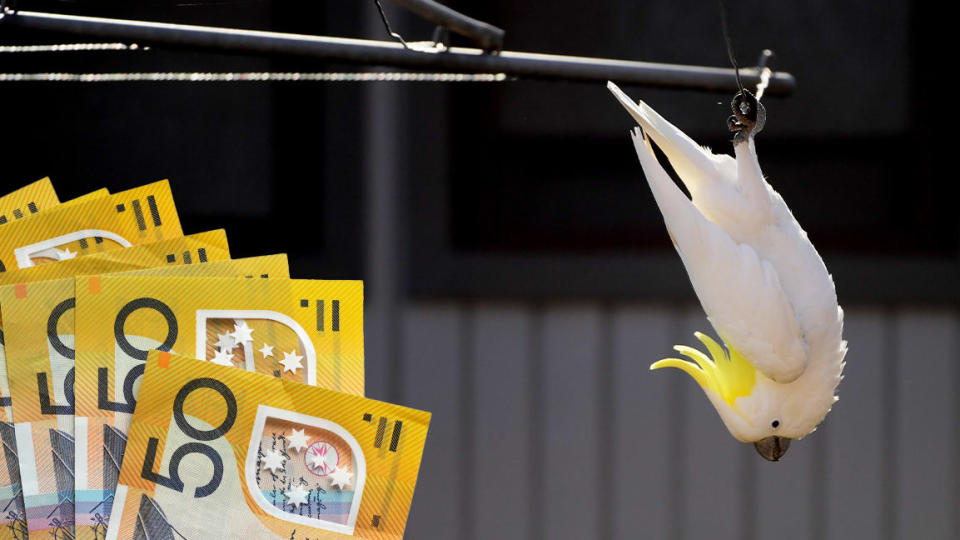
{"points": [[385, 53]]}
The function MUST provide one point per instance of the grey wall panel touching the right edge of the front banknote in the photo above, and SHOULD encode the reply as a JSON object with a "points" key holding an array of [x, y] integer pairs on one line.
{"points": [[431, 335]]}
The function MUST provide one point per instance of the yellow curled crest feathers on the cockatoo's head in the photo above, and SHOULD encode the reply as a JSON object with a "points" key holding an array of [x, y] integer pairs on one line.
{"points": [[729, 375]]}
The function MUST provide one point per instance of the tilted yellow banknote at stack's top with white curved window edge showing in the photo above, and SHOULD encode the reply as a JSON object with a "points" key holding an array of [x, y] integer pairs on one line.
{"points": [[95, 224]]}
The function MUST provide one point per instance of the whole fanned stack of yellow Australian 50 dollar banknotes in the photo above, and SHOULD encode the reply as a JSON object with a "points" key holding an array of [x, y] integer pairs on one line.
{"points": [[151, 387]]}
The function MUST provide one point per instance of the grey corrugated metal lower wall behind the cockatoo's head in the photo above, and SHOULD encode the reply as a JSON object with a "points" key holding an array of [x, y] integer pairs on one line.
{"points": [[548, 424]]}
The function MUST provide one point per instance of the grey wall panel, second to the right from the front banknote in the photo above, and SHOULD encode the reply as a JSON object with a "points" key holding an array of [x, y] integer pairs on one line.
{"points": [[501, 501]]}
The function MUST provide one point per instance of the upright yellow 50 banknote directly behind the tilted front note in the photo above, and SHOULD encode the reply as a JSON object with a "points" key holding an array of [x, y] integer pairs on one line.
{"points": [[296, 330]]}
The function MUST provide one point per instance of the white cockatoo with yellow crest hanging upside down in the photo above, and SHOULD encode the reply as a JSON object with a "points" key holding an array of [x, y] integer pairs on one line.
{"points": [[762, 284]]}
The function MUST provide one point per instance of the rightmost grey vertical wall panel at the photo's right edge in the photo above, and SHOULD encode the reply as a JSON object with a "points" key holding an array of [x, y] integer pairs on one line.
{"points": [[927, 359]]}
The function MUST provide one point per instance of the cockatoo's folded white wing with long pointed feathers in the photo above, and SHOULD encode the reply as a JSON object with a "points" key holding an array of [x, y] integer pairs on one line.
{"points": [[740, 293]]}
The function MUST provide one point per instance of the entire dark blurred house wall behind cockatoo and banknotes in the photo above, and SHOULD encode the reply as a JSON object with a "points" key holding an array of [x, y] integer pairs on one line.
{"points": [[519, 281]]}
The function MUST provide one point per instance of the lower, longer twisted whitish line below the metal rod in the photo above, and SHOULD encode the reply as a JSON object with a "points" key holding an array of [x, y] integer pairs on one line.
{"points": [[389, 76]]}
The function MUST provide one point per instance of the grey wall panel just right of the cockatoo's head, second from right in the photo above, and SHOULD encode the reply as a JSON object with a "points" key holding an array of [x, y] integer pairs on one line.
{"points": [[854, 431]]}
